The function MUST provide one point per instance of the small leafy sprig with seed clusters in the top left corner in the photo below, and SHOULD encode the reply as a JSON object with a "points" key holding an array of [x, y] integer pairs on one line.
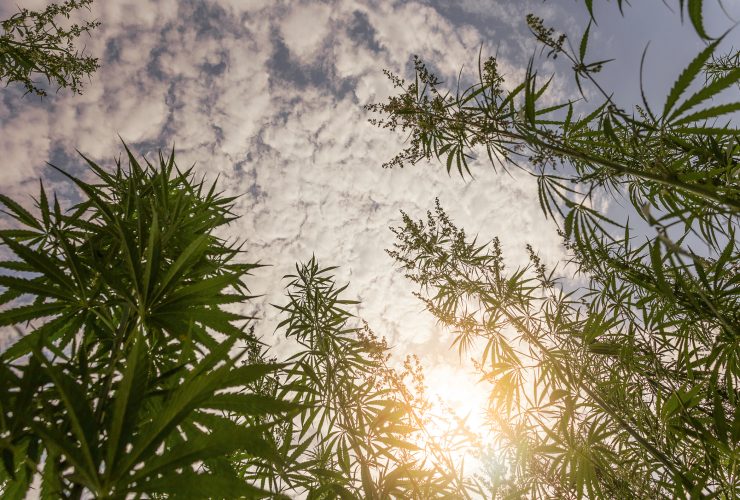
{"points": [[37, 43]]}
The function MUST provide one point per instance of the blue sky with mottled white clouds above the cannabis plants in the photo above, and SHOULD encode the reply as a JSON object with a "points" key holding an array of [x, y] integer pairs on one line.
{"points": [[268, 96]]}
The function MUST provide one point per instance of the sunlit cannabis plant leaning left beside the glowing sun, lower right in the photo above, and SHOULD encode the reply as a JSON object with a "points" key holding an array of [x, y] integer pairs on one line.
{"points": [[610, 390]]}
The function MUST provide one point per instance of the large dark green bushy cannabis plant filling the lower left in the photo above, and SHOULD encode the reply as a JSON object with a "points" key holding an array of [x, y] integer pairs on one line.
{"points": [[122, 378]]}
